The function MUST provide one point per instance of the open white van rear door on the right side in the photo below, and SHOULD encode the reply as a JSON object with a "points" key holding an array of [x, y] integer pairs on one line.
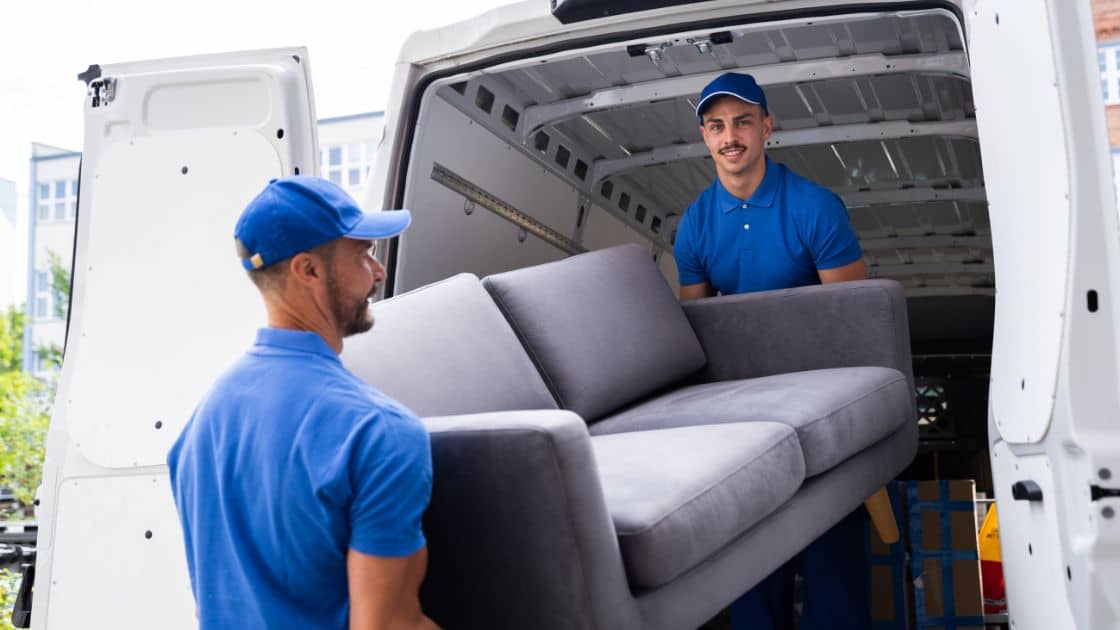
{"points": [[1054, 381]]}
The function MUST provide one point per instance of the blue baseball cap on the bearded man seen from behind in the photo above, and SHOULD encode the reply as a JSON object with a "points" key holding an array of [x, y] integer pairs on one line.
{"points": [[295, 215]]}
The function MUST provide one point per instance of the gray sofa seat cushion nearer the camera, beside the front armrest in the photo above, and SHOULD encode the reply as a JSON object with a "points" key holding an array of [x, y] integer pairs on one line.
{"points": [[677, 496]]}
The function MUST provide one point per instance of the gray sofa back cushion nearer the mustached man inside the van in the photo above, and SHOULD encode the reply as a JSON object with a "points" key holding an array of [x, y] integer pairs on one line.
{"points": [[603, 328]]}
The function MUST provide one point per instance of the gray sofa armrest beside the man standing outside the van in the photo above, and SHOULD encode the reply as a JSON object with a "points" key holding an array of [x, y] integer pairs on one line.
{"points": [[518, 529]]}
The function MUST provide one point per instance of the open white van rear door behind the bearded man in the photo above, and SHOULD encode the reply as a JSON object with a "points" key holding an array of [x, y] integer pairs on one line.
{"points": [[173, 152]]}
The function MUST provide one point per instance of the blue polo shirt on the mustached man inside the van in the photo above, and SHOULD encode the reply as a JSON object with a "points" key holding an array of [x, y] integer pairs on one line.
{"points": [[778, 239]]}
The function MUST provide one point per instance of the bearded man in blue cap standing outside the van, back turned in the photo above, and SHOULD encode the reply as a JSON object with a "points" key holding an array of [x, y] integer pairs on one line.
{"points": [[300, 487]]}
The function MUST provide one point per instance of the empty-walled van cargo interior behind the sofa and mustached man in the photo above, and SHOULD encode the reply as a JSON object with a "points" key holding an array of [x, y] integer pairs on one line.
{"points": [[544, 157]]}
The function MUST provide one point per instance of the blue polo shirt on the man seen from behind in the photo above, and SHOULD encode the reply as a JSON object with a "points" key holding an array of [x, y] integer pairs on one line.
{"points": [[290, 461]]}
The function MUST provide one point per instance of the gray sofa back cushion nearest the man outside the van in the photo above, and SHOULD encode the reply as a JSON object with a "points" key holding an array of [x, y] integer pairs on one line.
{"points": [[445, 349]]}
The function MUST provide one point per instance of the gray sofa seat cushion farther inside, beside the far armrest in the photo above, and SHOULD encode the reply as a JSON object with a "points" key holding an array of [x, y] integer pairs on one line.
{"points": [[837, 413]]}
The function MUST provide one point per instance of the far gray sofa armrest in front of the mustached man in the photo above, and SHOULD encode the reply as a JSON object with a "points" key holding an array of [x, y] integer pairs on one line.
{"points": [[844, 325]]}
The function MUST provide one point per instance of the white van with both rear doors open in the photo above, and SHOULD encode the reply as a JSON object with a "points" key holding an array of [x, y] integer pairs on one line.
{"points": [[967, 138]]}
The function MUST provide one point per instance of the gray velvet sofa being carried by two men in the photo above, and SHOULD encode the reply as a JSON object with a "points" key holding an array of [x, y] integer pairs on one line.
{"points": [[608, 458]]}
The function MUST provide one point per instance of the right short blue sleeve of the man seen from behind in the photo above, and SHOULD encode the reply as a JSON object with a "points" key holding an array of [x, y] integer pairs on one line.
{"points": [[391, 479]]}
